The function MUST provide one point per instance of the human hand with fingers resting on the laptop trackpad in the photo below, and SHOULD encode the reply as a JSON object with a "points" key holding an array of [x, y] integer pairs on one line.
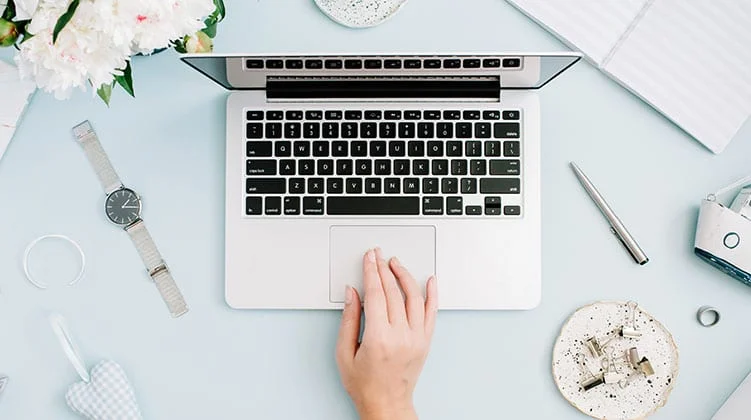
{"points": [[381, 372]]}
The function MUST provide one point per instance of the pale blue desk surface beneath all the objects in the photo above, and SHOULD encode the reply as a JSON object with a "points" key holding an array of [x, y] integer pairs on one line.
{"points": [[216, 363]]}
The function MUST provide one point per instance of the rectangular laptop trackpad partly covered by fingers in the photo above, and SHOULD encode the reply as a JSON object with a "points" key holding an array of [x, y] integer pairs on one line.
{"points": [[413, 245]]}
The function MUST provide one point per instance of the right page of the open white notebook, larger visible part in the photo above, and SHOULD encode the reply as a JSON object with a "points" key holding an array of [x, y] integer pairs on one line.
{"points": [[691, 61]]}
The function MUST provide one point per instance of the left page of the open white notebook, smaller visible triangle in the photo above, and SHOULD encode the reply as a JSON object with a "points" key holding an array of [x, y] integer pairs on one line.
{"points": [[590, 26]]}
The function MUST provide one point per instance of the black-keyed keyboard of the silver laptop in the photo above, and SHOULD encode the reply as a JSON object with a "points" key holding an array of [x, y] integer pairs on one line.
{"points": [[383, 162]]}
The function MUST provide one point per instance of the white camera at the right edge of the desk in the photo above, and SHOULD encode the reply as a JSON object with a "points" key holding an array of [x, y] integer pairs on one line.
{"points": [[723, 235]]}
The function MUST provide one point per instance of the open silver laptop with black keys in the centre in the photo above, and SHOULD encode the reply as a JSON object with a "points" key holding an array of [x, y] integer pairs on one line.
{"points": [[433, 158]]}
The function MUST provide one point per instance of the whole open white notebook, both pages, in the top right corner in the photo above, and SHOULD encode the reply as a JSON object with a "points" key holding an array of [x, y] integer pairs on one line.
{"points": [[690, 60]]}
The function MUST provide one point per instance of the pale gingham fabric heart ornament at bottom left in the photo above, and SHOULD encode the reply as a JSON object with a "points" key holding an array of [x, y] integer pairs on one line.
{"points": [[108, 396]]}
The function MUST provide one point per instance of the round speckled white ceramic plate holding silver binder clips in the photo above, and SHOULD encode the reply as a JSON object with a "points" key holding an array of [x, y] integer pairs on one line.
{"points": [[643, 395]]}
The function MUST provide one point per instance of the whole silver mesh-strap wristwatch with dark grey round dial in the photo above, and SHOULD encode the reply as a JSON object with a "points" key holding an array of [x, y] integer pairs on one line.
{"points": [[123, 208]]}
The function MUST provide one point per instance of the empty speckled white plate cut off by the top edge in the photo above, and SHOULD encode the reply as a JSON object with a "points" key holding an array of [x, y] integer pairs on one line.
{"points": [[360, 13]]}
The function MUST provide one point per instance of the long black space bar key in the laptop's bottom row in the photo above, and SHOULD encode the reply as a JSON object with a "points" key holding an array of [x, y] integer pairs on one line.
{"points": [[372, 206]]}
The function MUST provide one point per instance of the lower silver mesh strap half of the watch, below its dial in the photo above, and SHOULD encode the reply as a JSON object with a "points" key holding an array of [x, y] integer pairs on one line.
{"points": [[157, 268]]}
